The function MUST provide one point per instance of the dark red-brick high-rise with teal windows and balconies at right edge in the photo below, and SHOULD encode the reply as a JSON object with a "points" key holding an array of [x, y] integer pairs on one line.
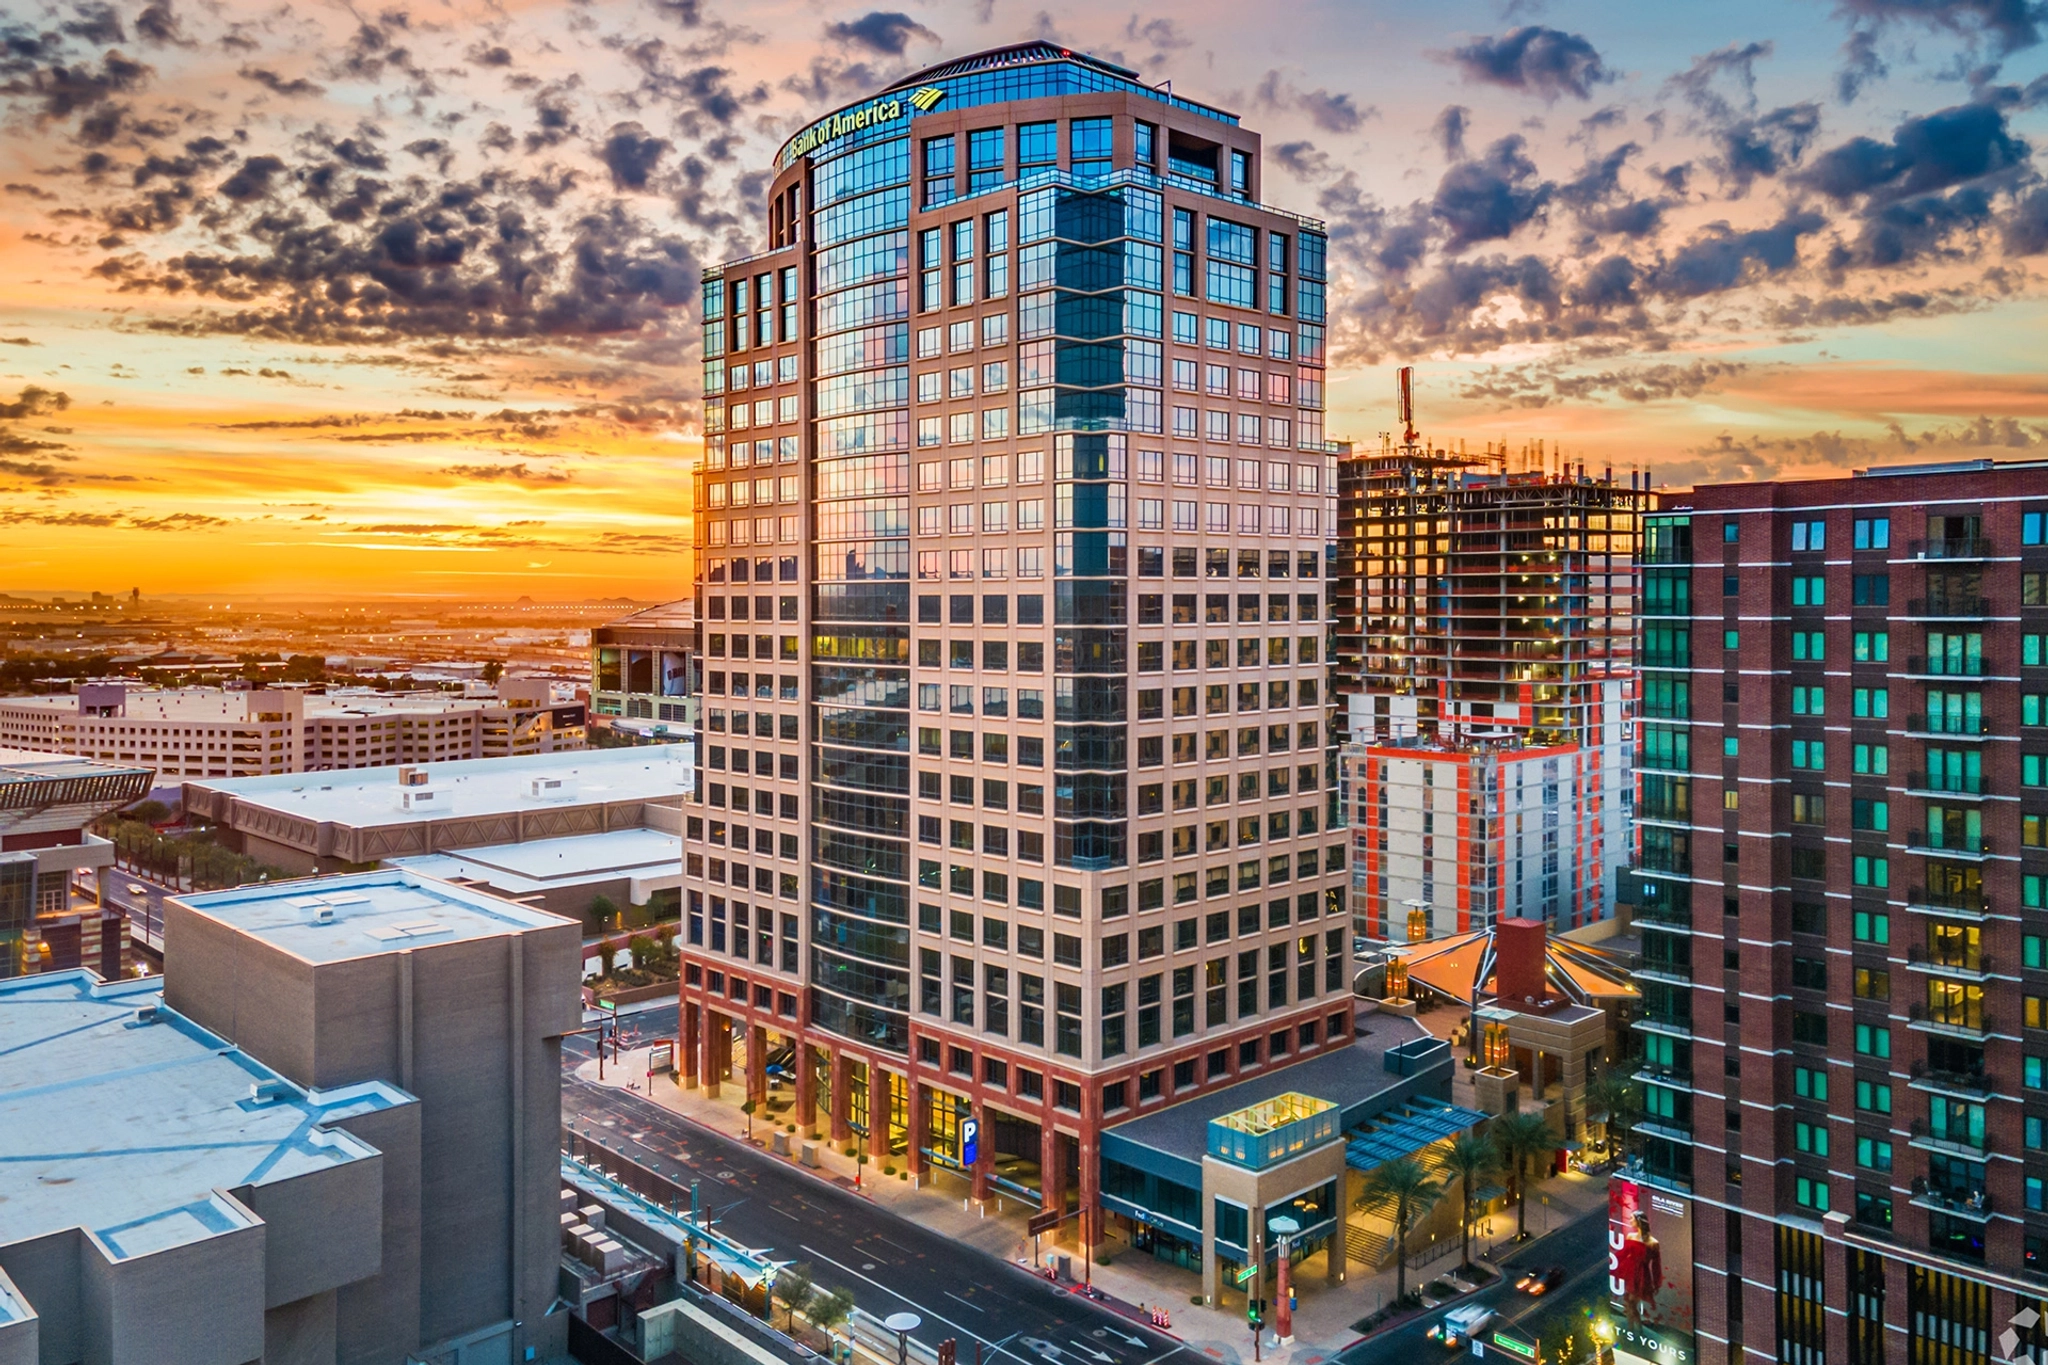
{"points": [[1842, 850]]}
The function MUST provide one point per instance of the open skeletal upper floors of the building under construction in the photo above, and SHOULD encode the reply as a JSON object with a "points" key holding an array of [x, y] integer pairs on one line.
{"points": [[1484, 599]]}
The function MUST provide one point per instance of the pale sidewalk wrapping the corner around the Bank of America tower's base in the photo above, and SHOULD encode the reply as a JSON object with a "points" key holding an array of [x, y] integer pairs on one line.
{"points": [[1134, 1280]]}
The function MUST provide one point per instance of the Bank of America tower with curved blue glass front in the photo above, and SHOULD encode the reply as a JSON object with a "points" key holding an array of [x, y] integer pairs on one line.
{"points": [[1017, 793]]}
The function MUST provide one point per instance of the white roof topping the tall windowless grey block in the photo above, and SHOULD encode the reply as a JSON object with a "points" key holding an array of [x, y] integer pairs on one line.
{"points": [[368, 914]]}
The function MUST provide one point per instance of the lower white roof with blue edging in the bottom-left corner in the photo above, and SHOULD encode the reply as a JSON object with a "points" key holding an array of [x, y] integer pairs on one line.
{"points": [[128, 1129]]}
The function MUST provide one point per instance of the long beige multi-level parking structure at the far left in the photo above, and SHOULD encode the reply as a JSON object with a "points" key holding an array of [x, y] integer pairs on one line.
{"points": [[237, 734]]}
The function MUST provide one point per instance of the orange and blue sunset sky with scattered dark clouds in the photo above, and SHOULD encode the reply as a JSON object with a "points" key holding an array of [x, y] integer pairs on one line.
{"points": [[372, 302]]}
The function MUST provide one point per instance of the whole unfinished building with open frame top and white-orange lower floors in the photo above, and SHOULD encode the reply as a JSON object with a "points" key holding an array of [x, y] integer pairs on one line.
{"points": [[1486, 609]]}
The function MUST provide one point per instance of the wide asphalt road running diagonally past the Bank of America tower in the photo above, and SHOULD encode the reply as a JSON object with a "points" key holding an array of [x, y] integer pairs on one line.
{"points": [[888, 1262]]}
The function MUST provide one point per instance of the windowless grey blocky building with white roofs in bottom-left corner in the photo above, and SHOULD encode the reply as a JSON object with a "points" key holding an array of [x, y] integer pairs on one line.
{"points": [[325, 1135]]}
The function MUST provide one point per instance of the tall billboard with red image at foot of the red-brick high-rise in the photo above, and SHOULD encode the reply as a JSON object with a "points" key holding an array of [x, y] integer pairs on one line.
{"points": [[1650, 1274]]}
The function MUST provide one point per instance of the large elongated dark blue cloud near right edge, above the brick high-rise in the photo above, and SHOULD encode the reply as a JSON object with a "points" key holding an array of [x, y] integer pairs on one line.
{"points": [[1926, 155]]}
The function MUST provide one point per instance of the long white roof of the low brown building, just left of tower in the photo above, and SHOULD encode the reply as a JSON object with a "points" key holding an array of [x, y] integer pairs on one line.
{"points": [[361, 797]]}
